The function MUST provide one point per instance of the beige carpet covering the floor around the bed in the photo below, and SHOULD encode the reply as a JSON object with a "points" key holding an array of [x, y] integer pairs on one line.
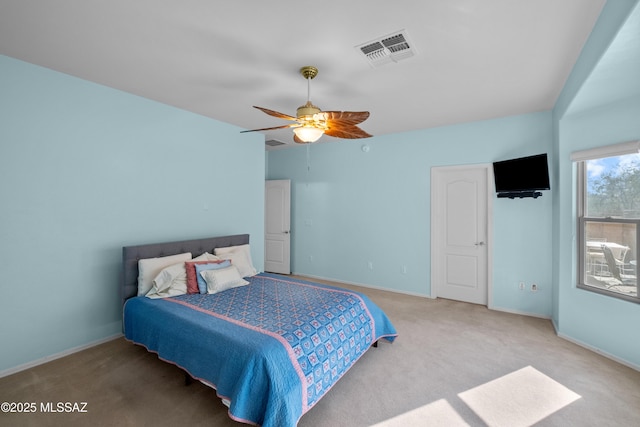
{"points": [[453, 364]]}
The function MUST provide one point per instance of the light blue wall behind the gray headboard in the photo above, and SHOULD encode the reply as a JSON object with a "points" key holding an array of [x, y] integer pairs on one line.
{"points": [[85, 170]]}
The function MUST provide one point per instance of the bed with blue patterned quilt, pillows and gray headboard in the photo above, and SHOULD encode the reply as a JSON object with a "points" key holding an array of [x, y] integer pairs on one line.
{"points": [[271, 346]]}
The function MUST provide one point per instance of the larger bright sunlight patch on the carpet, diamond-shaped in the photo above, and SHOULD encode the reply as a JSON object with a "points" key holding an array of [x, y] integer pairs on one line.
{"points": [[521, 398]]}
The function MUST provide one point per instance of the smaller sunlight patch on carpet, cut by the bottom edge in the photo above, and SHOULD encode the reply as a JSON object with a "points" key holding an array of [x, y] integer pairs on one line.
{"points": [[438, 413]]}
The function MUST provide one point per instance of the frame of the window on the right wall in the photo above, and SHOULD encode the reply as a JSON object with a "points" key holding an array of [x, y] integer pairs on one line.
{"points": [[580, 158]]}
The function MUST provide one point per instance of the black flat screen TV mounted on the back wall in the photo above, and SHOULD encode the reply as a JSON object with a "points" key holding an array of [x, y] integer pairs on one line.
{"points": [[524, 174]]}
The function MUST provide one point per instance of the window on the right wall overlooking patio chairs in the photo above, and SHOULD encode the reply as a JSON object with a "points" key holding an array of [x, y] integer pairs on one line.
{"points": [[609, 220]]}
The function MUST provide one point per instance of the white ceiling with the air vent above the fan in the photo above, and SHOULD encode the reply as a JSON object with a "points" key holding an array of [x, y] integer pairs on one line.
{"points": [[474, 59]]}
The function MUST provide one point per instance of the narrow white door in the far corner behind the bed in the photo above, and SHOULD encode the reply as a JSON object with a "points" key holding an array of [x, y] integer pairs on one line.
{"points": [[277, 239]]}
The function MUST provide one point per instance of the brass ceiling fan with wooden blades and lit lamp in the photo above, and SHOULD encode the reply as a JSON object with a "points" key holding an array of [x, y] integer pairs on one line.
{"points": [[311, 123]]}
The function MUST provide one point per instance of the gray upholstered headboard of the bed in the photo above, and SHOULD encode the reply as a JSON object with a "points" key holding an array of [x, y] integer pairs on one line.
{"points": [[131, 255]]}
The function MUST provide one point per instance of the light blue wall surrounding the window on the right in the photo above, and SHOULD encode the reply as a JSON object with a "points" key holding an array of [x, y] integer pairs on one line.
{"points": [[603, 323]]}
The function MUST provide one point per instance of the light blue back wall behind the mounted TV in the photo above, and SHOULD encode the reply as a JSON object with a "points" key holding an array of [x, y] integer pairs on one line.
{"points": [[352, 207]]}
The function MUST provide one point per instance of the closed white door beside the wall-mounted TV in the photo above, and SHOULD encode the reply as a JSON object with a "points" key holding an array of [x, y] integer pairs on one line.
{"points": [[460, 228]]}
